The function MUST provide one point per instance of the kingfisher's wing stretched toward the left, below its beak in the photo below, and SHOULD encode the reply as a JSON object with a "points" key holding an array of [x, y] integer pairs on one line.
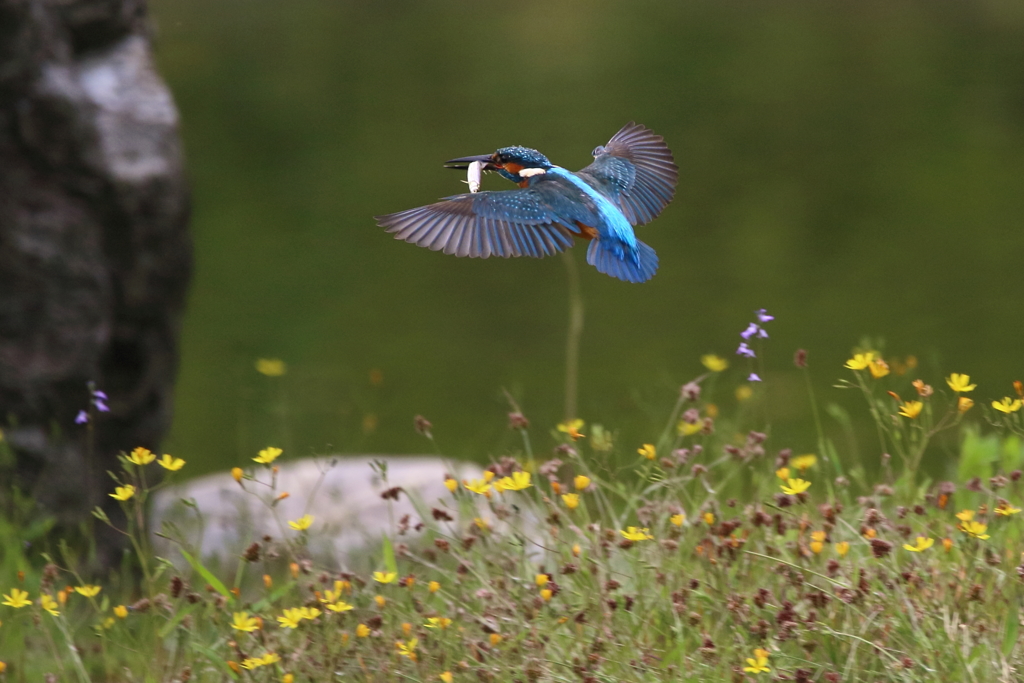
{"points": [[517, 223]]}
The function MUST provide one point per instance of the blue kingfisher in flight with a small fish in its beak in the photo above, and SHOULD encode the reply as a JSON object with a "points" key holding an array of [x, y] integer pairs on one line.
{"points": [[631, 181]]}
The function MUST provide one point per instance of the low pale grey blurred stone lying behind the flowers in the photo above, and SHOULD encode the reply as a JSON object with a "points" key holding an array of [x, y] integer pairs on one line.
{"points": [[343, 494]]}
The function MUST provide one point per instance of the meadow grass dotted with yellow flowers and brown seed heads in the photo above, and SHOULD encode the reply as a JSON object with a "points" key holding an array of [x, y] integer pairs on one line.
{"points": [[699, 557]]}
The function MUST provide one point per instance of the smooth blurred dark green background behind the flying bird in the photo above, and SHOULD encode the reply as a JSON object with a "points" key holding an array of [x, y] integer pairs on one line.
{"points": [[857, 168]]}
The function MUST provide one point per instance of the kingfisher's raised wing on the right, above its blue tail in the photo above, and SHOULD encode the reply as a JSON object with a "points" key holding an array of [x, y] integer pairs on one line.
{"points": [[635, 169]]}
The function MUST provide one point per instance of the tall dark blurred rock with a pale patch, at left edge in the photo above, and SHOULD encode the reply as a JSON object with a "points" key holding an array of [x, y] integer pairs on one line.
{"points": [[95, 250]]}
